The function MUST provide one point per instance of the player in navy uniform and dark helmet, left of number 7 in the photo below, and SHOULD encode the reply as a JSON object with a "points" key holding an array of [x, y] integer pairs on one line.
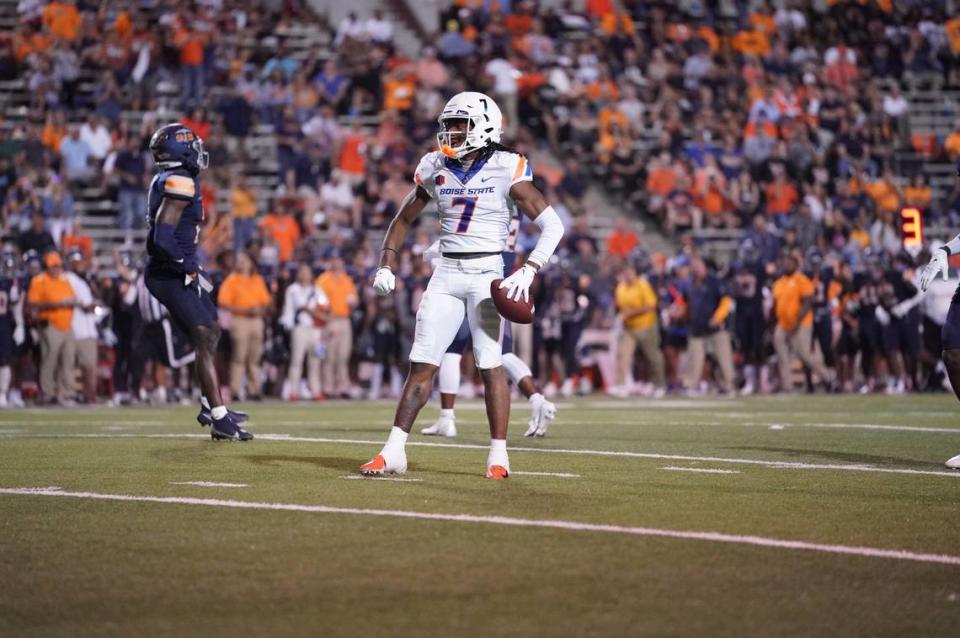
{"points": [[174, 215]]}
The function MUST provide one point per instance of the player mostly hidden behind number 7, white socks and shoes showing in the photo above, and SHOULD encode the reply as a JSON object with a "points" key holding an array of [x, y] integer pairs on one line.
{"points": [[448, 378]]}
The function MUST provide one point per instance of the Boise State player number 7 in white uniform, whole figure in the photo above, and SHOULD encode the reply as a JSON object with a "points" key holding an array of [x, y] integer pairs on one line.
{"points": [[475, 182]]}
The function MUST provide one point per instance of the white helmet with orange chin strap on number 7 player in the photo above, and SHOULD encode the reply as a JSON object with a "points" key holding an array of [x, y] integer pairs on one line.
{"points": [[484, 124]]}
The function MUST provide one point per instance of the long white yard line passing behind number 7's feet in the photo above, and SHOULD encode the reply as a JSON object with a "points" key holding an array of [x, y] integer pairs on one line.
{"points": [[840, 467]]}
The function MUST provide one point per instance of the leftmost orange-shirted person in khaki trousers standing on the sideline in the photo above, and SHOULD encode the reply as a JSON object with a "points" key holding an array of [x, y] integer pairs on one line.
{"points": [[50, 297]]}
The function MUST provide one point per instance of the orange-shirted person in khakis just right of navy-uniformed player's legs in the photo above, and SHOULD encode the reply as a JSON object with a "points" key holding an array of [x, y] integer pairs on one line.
{"points": [[244, 294]]}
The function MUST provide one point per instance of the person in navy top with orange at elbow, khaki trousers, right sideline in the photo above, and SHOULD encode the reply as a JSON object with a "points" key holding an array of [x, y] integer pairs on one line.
{"points": [[709, 306]]}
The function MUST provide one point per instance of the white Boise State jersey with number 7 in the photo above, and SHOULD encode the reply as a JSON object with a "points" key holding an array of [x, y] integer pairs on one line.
{"points": [[474, 204]]}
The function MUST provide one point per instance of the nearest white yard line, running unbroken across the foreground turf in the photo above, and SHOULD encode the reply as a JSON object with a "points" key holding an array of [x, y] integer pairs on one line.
{"points": [[715, 537]]}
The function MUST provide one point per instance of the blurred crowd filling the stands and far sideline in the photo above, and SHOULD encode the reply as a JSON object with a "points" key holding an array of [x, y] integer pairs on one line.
{"points": [[781, 122]]}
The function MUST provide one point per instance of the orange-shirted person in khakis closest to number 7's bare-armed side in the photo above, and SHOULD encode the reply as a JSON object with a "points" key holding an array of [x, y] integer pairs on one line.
{"points": [[341, 293]]}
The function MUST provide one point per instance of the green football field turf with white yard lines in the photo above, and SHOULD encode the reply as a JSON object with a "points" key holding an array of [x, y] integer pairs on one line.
{"points": [[808, 516]]}
